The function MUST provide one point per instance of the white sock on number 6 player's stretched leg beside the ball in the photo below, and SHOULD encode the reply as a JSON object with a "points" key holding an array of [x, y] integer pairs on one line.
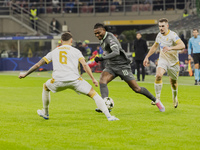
{"points": [[101, 105]]}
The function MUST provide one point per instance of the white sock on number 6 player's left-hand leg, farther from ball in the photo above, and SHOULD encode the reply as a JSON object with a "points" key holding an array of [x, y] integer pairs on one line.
{"points": [[46, 100]]}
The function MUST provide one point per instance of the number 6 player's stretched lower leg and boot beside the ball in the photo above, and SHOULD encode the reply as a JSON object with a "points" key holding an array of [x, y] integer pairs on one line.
{"points": [[101, 104]]}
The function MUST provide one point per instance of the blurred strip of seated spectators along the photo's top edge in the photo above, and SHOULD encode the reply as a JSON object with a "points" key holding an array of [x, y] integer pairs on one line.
{"points": [[89, 6]]}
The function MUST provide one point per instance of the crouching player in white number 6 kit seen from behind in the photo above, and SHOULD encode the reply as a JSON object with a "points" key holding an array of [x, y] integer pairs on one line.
{"points": [[65, 75]]}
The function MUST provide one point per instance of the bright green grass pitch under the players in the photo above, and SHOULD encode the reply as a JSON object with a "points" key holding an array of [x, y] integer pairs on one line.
{"points": [[74, 124]]}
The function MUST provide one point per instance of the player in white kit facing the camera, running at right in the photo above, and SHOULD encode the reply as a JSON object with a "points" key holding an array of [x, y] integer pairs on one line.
{"points": [[169, 43]]}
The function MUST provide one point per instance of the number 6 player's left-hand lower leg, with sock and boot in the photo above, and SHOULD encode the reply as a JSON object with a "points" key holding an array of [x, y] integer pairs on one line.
{"points": [[46, 100]]}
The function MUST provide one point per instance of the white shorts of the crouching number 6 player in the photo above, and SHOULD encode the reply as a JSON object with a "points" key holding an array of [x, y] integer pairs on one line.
{"points": [[79, 86]]}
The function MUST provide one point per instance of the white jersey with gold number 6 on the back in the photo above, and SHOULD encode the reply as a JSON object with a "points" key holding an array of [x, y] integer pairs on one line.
{"points": [[65, 61]]}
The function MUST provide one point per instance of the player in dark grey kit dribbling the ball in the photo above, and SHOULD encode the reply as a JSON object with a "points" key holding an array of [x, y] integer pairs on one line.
{"points": [[117, 65]]}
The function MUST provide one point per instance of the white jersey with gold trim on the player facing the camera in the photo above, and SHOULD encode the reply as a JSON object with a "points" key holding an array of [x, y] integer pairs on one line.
{"points": [[167, 41]]}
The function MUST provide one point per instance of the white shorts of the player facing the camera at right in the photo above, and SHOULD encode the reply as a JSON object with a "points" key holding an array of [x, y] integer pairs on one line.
{"points": [[172, 71]]}
